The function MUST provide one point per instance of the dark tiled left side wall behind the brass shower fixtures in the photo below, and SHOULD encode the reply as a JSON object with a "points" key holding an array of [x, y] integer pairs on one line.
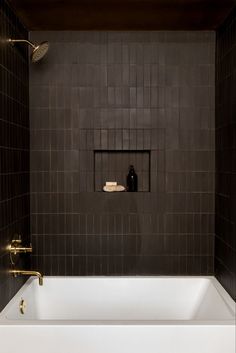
{"points": [[14, 147]]}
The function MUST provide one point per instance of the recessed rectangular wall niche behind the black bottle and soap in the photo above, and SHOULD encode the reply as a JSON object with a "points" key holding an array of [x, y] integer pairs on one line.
{"points": [[114, 166]]}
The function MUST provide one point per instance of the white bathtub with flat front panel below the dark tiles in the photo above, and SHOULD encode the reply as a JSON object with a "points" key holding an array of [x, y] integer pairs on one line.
{"points": [[120, 315]]}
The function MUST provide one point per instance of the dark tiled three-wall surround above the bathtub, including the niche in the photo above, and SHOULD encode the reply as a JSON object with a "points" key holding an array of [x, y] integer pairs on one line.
{"points": [[149, 94]]}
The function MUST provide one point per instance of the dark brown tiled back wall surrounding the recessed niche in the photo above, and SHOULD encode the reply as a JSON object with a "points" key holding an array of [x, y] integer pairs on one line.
{"points": [[123, 91]]}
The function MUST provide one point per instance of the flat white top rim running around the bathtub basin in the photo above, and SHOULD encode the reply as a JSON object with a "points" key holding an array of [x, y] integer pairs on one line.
{"points": [[227, 299]]}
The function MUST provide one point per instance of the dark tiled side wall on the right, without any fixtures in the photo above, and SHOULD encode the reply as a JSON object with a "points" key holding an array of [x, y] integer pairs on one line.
{"points": [[225, 243]]}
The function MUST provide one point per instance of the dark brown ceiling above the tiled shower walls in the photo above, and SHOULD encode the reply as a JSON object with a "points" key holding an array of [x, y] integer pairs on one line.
{"points": [[123, 14]]}
